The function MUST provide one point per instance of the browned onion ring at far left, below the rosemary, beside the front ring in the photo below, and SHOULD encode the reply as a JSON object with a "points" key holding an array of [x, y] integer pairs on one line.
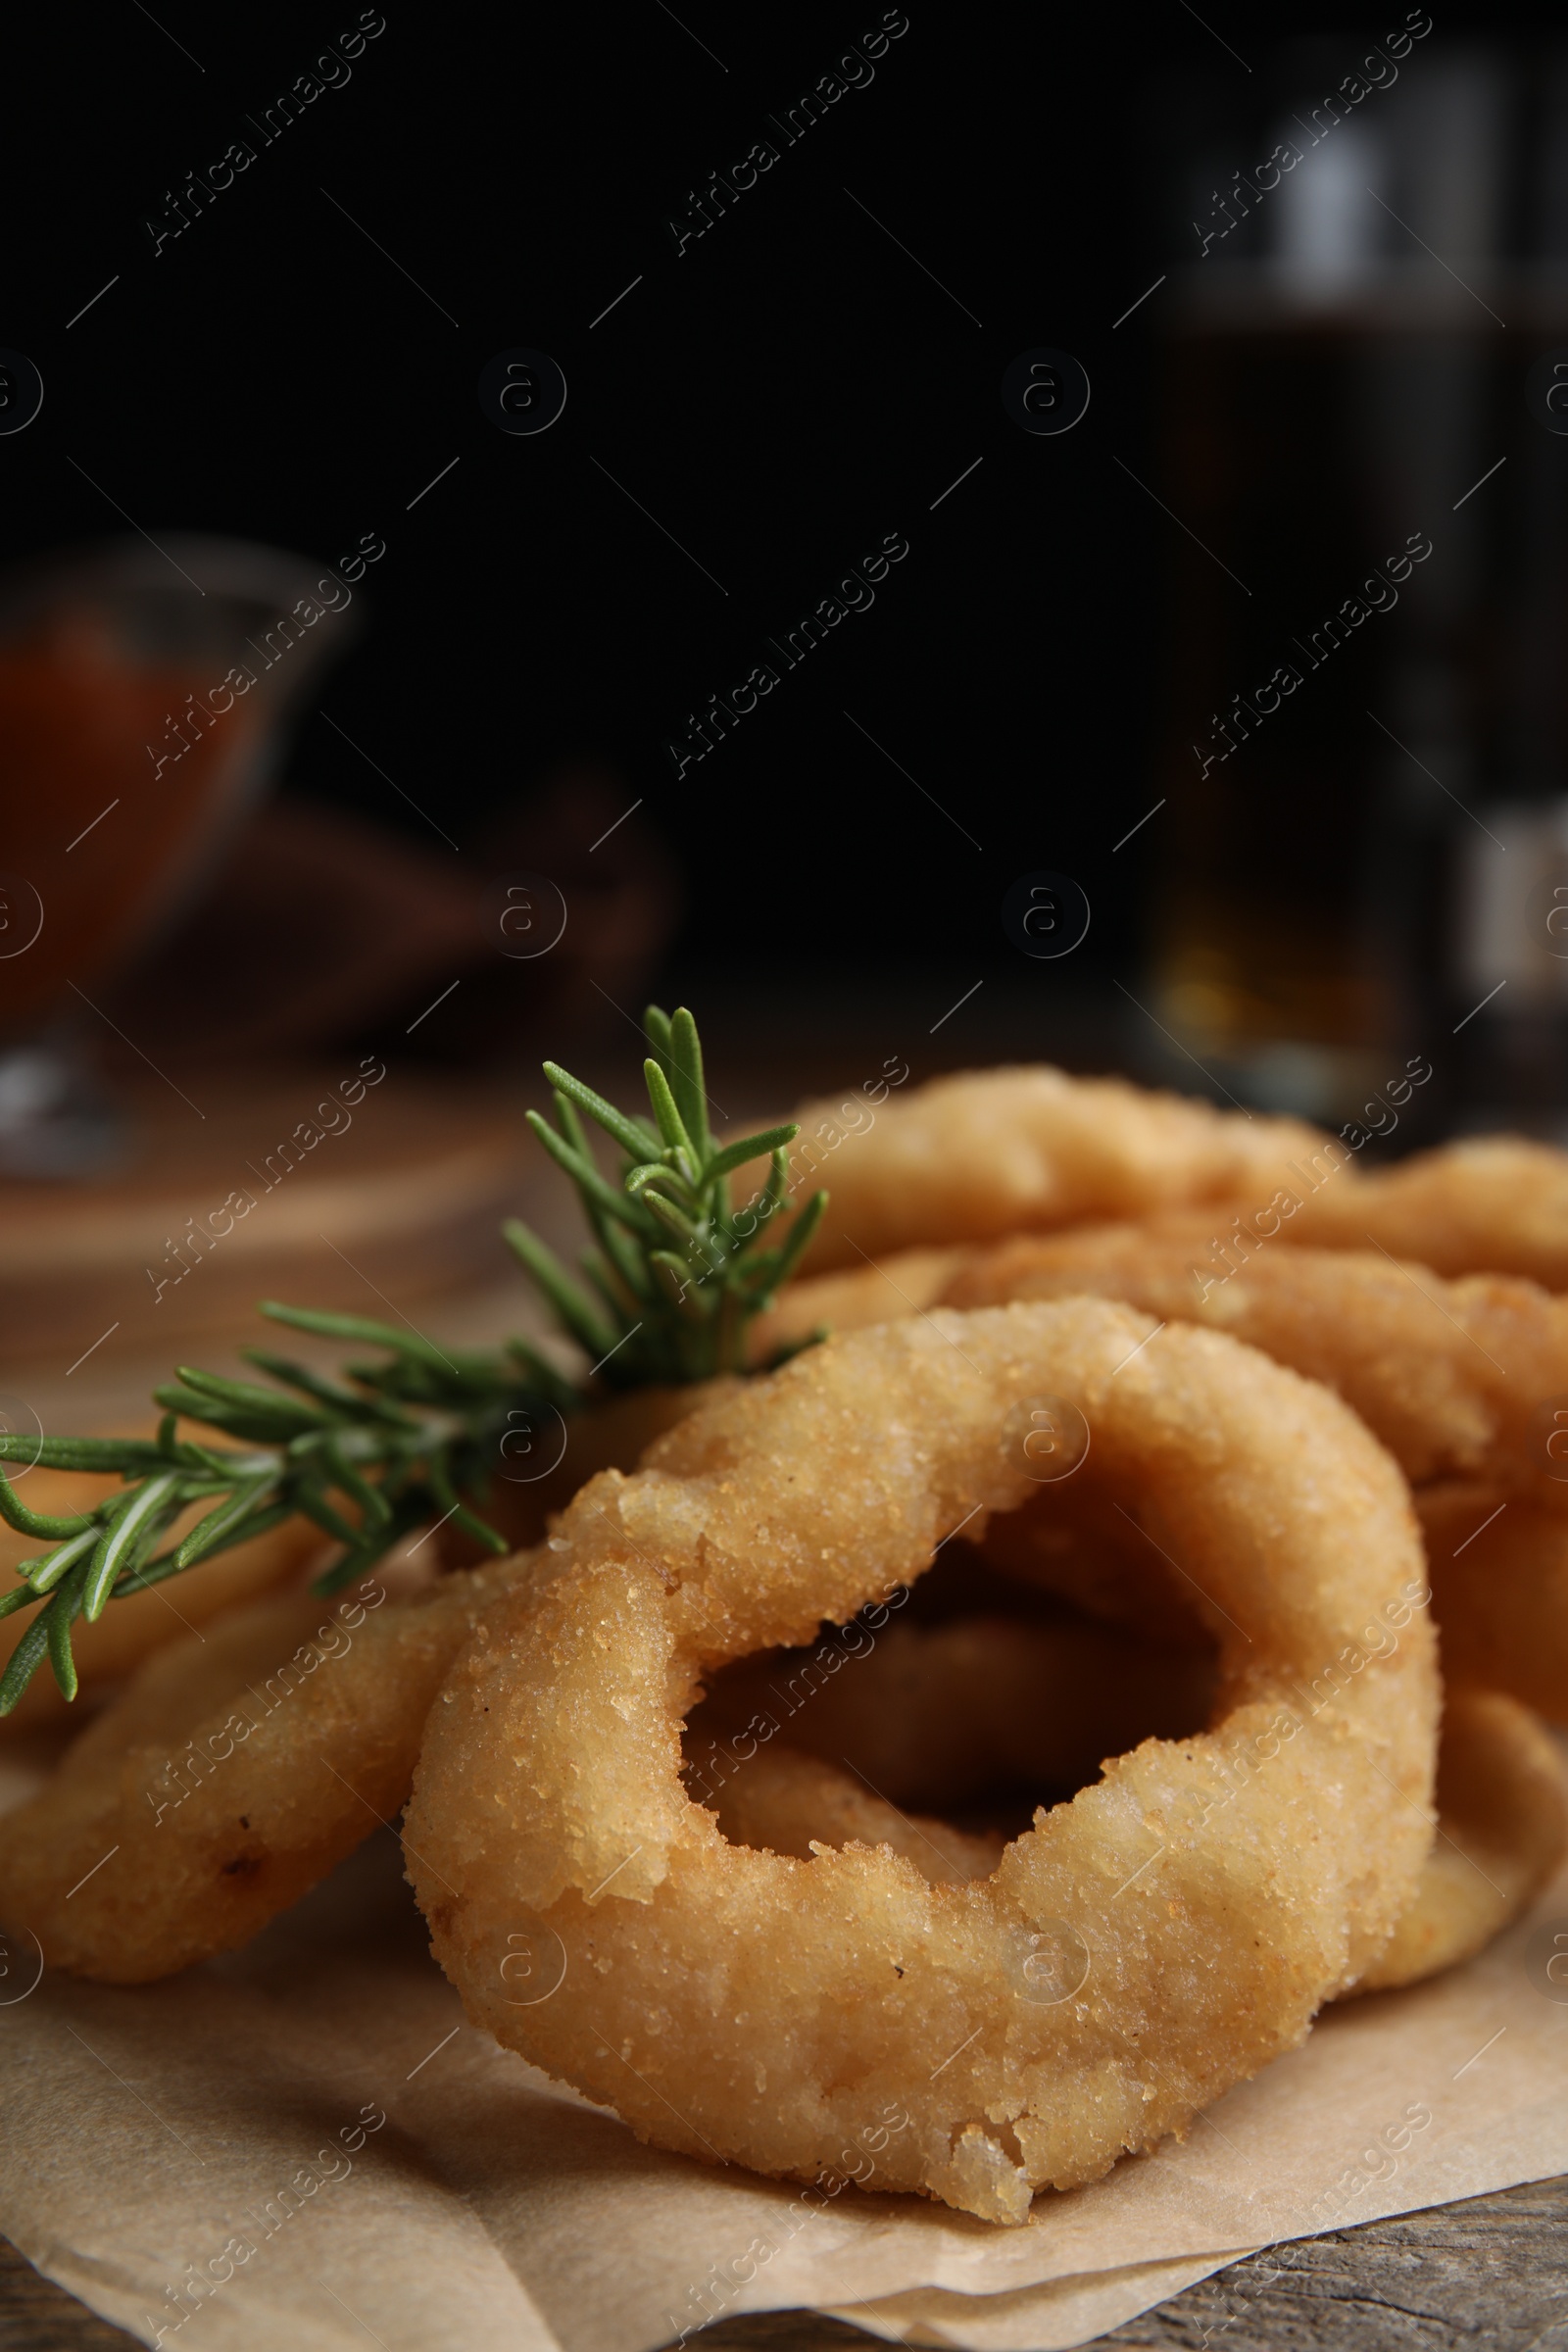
{"points": [[229, 1779]]}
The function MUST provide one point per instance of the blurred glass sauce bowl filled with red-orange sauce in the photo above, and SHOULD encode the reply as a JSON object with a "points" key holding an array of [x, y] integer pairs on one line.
{"points": [[142, 711]]}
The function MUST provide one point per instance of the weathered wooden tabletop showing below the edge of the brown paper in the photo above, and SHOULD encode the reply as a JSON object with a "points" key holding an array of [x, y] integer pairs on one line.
{"points": [[1489, 2273]]}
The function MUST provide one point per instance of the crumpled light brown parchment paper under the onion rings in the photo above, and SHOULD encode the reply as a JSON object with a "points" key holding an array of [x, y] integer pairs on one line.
{"points": [[307, 2144]]}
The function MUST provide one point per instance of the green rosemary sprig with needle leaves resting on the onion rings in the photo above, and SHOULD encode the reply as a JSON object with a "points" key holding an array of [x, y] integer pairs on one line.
{"points": [[674, 1281]]}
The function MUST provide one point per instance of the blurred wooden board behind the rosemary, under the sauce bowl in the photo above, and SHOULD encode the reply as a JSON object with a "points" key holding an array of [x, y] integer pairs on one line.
{"points": [[272, 1189]]}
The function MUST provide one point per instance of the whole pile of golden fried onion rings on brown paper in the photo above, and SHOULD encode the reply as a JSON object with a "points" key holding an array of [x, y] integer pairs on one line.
{"points": [[763, 1956]]}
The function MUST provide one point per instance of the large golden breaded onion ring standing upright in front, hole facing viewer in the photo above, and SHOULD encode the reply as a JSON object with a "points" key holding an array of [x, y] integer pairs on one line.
{"points": [[760, 2007]]}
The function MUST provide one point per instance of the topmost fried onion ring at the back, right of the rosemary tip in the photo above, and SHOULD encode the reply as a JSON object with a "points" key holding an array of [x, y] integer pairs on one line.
{"points": [[984, 1154]]}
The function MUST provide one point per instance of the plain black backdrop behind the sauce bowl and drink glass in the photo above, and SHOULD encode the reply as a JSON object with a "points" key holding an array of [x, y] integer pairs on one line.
{"points": [[782, 396]]}
